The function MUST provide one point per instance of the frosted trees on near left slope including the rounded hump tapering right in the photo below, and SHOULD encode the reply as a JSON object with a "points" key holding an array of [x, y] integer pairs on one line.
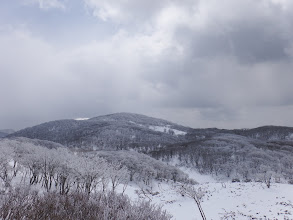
{"points": [[62, 170]]}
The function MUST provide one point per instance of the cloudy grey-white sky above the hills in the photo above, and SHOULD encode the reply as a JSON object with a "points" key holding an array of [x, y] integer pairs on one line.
{"points": [[199, 63]]}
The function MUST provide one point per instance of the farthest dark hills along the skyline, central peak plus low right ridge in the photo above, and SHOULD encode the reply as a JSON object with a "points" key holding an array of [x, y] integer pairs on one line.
{"points": [[128, 130]]}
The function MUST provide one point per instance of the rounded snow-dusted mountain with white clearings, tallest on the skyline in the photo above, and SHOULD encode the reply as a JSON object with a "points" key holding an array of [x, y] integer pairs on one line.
{"points": [[116, 131]]}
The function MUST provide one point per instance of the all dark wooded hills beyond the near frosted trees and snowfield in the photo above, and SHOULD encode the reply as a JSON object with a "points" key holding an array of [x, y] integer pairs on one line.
{"points": [[247, 155]]}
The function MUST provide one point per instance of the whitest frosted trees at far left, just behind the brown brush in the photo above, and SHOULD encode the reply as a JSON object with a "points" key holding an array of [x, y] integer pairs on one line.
{"points": [[57, 169]]}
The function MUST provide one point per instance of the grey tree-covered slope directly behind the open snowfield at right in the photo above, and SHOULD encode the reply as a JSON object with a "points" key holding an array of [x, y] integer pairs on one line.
{"points": [[234, 156]]}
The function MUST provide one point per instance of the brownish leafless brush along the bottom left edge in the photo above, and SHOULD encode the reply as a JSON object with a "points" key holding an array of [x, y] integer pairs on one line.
{"points": [[21, 204]]}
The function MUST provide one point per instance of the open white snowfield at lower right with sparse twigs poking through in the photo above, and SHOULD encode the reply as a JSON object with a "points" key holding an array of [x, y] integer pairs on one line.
{"points": [[224, 200]]}
